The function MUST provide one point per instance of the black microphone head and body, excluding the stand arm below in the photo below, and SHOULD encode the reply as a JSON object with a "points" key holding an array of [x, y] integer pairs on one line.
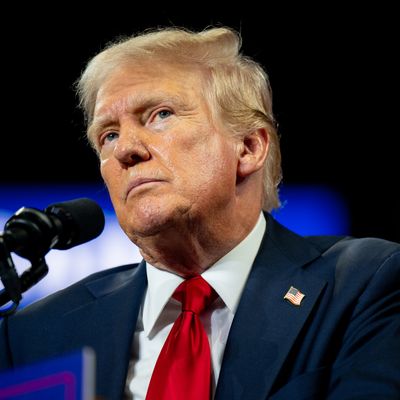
{"points": [[31, 233]]}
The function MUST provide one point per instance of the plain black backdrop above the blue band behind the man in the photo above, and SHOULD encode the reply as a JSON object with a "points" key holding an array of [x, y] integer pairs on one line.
{"points": [[334, 74]]}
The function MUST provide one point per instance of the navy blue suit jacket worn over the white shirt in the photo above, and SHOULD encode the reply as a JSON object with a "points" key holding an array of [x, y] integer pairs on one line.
{"points": [[342, 342]]}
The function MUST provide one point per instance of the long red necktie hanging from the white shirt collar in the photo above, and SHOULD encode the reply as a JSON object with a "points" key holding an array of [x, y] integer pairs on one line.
{"points": [[183, 368]]}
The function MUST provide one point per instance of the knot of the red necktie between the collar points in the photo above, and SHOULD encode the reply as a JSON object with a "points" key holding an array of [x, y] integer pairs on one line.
{"points": [[195, 294]]}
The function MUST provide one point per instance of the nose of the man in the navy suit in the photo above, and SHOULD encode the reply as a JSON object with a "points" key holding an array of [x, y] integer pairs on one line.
{"points": [[131, 148]]}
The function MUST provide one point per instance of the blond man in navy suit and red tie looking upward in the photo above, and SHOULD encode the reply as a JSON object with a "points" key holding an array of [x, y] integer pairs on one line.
{"points": [[188, 149]]}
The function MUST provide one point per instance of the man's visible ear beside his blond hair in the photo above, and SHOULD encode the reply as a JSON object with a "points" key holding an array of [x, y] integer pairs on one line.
{"points": [[253, 150]]}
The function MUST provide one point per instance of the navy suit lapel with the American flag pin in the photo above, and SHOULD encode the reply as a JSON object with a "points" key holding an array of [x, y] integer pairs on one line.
{"points": [[266, 326]]}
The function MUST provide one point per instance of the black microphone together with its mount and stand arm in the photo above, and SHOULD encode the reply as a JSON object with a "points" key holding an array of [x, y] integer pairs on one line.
{"points": [[31, 233]]}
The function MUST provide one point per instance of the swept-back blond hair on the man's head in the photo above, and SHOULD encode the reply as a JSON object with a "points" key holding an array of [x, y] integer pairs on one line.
{"points": [[236, 86]]}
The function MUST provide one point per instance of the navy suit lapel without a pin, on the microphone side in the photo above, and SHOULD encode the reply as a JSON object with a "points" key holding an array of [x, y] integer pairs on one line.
{"points": [[113, 316]]}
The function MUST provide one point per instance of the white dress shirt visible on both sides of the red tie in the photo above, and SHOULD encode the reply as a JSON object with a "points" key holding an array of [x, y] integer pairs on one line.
{"points": [[159, 311]]}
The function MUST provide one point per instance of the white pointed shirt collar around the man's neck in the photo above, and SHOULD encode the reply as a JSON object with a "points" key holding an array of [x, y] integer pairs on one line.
{"points": [[227, 277]]}
